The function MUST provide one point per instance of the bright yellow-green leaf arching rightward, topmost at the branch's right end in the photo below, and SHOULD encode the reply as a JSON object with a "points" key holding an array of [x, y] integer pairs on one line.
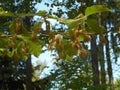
{"points": [[95, 9]]}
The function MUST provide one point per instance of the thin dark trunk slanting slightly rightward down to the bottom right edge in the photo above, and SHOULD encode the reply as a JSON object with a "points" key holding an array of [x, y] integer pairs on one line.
{"points": [[109, 65]]}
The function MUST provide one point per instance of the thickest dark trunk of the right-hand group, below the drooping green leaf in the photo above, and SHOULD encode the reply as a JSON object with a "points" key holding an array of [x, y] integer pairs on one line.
{"points": [[94, 60]]}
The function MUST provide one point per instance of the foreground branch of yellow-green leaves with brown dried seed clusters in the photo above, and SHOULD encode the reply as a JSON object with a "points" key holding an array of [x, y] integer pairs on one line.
{"points": [[23, 42]]}
